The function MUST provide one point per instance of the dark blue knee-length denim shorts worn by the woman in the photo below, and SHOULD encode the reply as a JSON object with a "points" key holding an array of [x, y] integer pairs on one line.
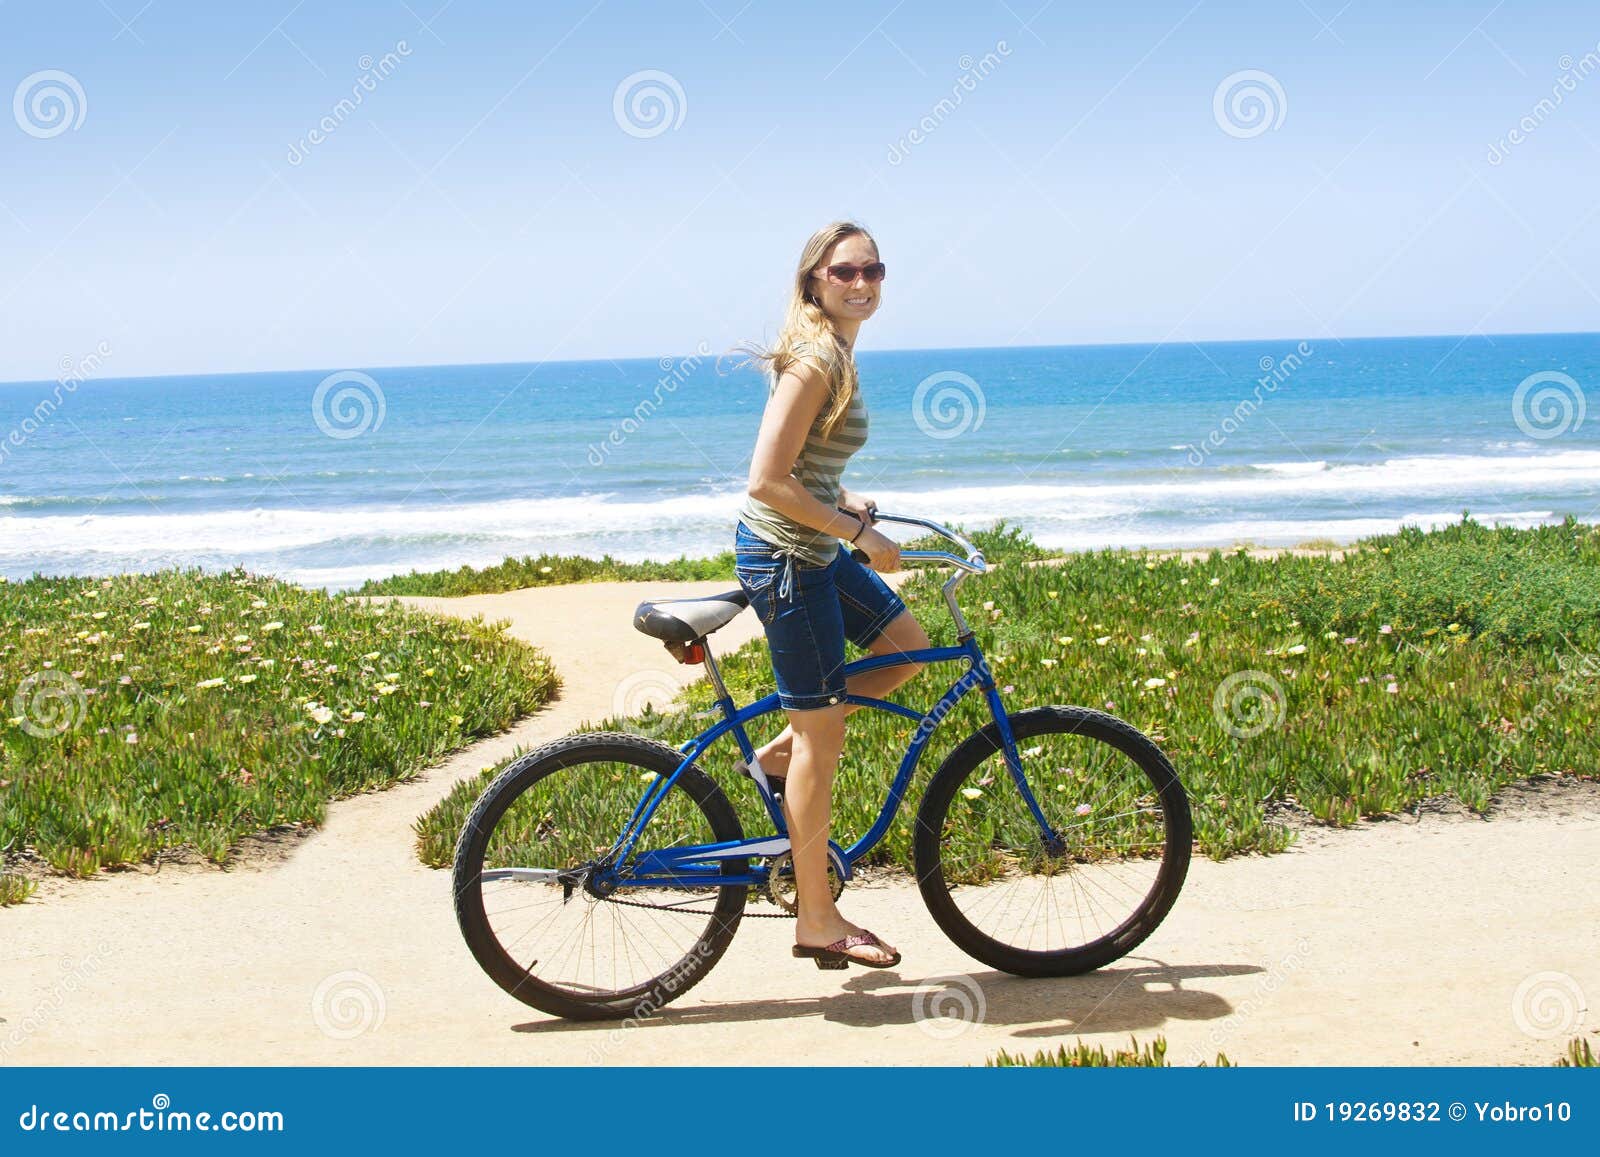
{"points": [[810, 614]]}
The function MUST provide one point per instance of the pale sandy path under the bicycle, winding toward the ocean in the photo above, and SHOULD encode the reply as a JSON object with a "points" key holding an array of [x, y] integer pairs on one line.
{"points": [[1394, 943]]}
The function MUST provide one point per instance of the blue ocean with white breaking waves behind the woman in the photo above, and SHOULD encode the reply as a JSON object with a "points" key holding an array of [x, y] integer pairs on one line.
{"points": [[329, 478]]}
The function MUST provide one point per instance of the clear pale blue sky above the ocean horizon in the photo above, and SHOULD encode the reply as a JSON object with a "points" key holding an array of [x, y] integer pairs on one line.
{"points": [[484, 202]]}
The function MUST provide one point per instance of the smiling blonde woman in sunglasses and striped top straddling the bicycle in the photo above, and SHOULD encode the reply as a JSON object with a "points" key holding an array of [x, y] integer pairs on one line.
{"points": [[802, 582]]}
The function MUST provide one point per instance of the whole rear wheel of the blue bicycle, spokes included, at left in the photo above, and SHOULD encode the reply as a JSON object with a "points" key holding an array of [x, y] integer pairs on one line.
{"points": [[562, 945]]}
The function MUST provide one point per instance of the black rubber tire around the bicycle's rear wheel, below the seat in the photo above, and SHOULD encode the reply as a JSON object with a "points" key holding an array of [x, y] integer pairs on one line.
{"points": [[529, 772]]}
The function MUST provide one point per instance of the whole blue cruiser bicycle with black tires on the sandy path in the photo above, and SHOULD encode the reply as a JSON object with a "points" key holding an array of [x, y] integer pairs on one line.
{"points": [[604, 875]]}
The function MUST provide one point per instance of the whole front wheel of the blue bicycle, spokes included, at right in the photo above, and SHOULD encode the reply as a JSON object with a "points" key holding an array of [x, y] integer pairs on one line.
{"points": [[1082, 895]]}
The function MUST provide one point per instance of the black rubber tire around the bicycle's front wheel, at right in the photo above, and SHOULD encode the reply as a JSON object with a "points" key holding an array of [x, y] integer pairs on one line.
{"points": [[970, 758]]}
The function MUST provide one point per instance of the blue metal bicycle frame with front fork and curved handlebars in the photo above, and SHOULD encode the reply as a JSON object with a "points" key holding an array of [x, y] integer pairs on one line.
{"points": [[702, 865]]}
